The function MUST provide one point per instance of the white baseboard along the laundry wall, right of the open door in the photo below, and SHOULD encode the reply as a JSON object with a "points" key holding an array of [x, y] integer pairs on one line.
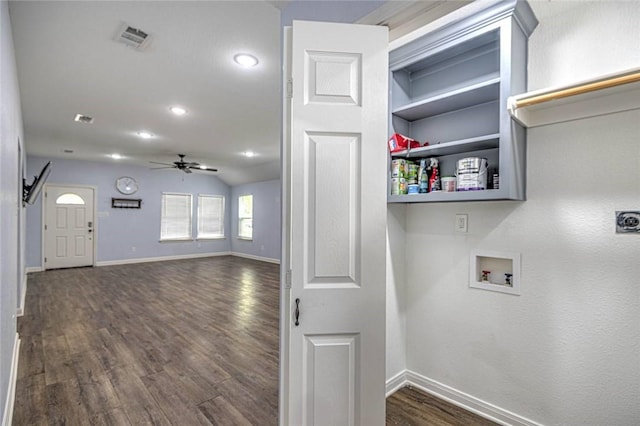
{"points": [[456, 397]]}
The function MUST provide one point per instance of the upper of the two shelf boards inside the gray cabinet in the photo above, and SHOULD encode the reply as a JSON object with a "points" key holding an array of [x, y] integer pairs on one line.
{"points": [[479, 93]]}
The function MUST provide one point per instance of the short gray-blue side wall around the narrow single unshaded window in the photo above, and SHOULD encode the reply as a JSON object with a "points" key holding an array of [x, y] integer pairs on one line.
{"points": [[266, 220]]}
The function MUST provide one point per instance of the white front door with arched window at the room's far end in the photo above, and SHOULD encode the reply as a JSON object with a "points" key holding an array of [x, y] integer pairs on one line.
{"points": [[68, 226]]}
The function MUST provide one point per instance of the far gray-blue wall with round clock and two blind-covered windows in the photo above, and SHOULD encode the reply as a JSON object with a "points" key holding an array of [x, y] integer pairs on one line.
{"points": [[118, 231]]}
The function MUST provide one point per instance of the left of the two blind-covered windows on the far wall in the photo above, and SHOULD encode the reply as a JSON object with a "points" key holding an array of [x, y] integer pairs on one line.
{"points": [[175, 223]]}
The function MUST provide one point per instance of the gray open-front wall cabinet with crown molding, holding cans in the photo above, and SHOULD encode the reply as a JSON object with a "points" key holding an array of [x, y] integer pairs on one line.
{"points": [[449, 87]]}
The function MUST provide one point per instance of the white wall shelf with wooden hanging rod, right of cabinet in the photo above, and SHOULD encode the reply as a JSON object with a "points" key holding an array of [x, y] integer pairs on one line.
{"points": [[604, 95]]}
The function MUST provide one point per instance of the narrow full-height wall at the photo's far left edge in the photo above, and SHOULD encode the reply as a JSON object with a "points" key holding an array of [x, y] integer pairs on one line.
{"points": [[10, 210]]}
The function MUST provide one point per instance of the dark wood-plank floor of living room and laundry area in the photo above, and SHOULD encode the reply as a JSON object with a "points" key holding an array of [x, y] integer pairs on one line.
{"points": [[188, 342]]}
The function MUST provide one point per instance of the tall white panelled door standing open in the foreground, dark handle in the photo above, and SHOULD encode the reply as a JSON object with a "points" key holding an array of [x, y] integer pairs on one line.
{"points": [[336, 161]]}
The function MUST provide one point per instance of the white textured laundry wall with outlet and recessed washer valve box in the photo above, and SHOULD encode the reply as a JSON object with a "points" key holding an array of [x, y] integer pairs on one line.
{"points": [[567, 351]]}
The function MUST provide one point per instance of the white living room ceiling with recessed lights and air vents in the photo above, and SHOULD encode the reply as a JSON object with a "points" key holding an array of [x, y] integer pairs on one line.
{"points": [[69, 63]]}
